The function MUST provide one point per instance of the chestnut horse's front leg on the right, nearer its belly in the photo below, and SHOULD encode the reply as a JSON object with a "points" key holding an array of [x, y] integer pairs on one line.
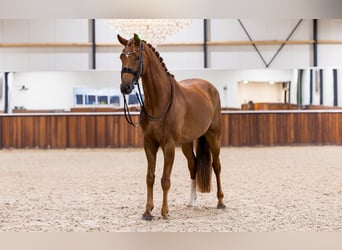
{"points": [[169, 155]]}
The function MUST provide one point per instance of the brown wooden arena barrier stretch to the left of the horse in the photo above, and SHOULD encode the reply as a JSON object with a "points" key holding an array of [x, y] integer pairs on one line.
{"points": [[67, 131]]}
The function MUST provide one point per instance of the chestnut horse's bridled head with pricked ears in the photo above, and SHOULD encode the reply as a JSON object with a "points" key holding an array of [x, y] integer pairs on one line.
{"points": [[132, 58]]}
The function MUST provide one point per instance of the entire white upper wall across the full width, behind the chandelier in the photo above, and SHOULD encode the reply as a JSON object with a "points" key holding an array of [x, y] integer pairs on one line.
{"points": [[176, 57]]}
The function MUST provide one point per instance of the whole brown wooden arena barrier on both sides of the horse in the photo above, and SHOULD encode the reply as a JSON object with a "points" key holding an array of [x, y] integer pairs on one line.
{"points": [[100, 130]]}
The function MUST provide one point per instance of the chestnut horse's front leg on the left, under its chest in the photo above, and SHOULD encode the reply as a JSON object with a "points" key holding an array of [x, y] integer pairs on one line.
{"points": [[151, 153]]}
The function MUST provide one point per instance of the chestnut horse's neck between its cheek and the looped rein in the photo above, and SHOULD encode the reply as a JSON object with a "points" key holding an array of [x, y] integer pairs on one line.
{"points": [[157, 87]]}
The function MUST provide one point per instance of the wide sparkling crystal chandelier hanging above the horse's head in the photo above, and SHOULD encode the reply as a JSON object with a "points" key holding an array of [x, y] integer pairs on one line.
{"points": [[154, 31]]}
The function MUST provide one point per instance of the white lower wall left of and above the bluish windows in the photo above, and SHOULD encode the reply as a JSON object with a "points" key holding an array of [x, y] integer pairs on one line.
{"points": [[54, 90]]}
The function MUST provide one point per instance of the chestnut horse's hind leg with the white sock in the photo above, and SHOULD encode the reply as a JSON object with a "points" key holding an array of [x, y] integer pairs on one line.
{"points": [[190, 156]]}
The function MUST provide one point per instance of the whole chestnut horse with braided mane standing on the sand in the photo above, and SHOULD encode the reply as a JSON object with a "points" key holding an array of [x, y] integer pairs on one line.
{"points": [[186, 113]]}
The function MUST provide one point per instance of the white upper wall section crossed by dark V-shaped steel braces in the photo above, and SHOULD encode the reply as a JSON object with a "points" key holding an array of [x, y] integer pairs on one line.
{"points": [[291, 56]]}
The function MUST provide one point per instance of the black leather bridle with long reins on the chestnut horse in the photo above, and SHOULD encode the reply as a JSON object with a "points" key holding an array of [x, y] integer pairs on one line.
{"points": [[137, 74]]}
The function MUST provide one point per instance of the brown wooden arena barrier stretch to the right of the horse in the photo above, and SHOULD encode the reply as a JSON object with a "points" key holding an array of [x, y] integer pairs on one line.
{"points": [[282, 128]]}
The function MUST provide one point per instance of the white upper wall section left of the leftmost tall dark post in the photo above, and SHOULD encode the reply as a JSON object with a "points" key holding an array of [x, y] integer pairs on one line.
{"points": [[44, 58]]}
